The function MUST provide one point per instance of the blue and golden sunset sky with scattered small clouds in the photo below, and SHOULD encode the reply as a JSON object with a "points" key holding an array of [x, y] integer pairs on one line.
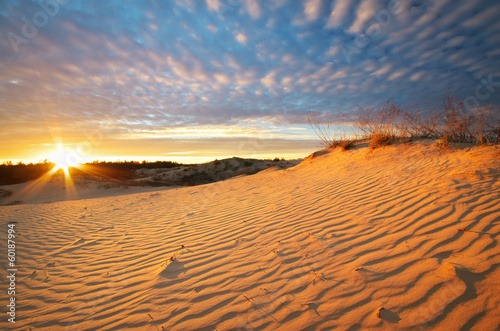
{"points": [[191, 81]]}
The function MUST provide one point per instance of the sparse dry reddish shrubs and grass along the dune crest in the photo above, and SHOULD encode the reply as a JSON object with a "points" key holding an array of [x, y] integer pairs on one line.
{"points": [[383, 125]]}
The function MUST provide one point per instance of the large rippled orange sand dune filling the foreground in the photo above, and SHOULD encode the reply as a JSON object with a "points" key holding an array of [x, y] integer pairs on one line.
{"points": [[344, 240]]}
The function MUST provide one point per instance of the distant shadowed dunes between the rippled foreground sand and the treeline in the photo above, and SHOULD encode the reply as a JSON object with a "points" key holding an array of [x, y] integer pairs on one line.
{"points": [[56, 187]]}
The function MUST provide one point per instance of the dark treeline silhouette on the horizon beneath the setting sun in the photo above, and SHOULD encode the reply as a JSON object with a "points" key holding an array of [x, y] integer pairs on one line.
{"points": [[19, 173]]}
